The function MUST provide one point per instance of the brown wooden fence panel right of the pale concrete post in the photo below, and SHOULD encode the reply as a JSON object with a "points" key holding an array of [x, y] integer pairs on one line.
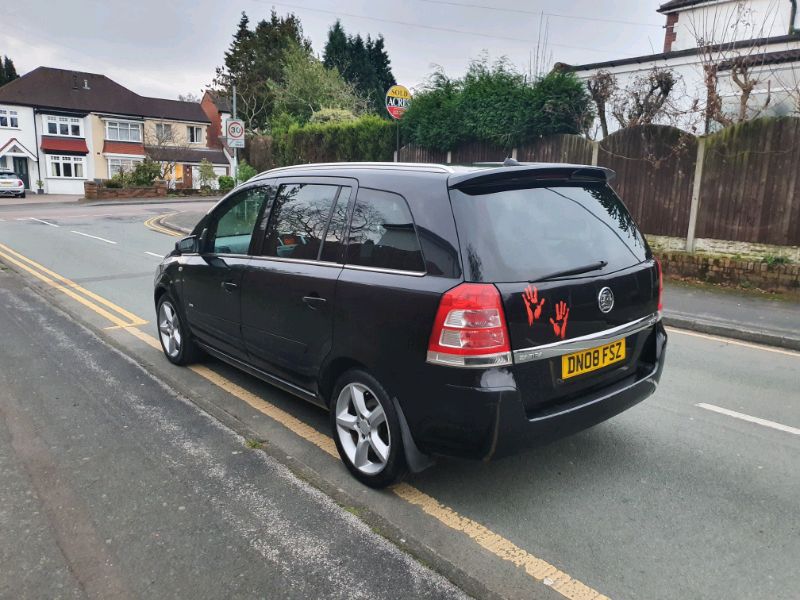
{"points": [[751, 183]]}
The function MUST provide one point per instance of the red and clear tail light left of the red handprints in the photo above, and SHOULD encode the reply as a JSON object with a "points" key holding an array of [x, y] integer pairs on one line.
{"points": [[470, 329]]}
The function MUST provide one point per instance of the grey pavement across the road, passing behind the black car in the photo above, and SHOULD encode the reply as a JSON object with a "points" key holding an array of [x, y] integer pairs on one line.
{"points": [[709, 309]]}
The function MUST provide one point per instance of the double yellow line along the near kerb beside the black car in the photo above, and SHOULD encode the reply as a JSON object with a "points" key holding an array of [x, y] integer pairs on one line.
{"points": [[502, 548]]}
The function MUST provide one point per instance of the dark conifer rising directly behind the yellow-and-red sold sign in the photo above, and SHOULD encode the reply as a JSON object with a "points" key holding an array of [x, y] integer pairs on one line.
{"points": [[363, 63]]}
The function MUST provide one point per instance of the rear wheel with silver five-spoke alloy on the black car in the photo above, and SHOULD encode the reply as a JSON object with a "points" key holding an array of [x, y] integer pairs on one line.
{"points": [[366, 429]]}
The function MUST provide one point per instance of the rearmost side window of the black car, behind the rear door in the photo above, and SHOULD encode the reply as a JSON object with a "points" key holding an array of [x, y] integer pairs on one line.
{"points": [[382, 233]]}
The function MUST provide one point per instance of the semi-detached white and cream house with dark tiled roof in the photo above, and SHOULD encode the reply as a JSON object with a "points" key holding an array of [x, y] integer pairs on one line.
{"points": [[65, 127]]}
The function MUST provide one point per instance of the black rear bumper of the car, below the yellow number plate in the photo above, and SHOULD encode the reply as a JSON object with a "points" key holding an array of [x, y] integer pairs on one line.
{"points": [[487, 423]]}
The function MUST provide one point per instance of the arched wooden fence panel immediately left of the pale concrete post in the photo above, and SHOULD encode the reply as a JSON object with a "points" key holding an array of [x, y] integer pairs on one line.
{"points": [[655, 171]]}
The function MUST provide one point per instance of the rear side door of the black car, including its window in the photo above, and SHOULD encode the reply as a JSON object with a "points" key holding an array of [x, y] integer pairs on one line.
{"points": [[289, 286]]}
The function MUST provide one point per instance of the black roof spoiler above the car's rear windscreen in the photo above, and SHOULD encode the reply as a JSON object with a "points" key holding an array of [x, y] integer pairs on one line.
{"points": [[528, 173]]}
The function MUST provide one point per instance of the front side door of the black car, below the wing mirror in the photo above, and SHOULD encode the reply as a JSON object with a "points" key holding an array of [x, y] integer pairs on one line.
{"points": [[212, 278]]}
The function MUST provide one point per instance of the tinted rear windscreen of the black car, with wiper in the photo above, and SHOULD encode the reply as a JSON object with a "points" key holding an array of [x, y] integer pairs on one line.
{"points": [[525, 234]]}
